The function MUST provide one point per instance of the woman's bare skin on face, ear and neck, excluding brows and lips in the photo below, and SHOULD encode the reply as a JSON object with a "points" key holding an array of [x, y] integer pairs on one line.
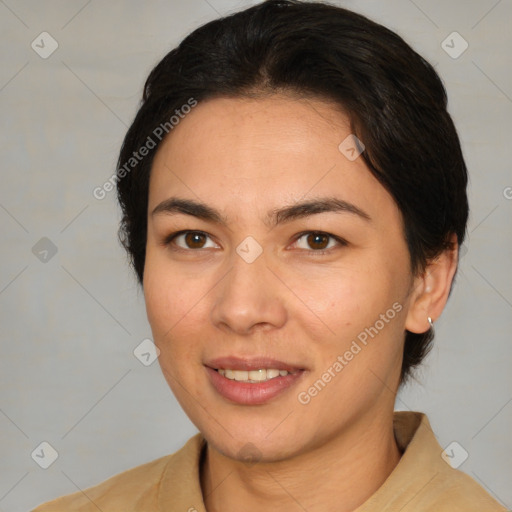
{"points": [[246, 157]]}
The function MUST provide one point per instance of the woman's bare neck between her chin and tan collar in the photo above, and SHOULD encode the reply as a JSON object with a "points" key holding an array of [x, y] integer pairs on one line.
{"points": [[339, 475]]}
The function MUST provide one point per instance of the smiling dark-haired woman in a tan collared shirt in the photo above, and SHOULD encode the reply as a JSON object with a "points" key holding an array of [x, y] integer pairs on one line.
{"points": [[294, 196]]}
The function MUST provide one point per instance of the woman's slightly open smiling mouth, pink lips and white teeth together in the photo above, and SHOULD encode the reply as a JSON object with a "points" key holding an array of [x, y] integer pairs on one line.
{"points": [[252, 381]]}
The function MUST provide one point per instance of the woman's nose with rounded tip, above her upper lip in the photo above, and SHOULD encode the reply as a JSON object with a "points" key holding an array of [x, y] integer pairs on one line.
{"points": [[249, 298]]}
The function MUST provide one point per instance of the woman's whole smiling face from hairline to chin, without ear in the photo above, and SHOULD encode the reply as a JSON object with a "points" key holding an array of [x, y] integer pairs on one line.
{"points": [[269, 248]]}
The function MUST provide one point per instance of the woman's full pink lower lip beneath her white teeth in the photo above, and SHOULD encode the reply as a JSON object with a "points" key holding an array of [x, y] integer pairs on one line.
{"points": [[247, 393]]}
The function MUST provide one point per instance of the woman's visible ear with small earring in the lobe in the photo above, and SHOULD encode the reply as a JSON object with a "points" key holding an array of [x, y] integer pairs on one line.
{"points": [[431, 289]]}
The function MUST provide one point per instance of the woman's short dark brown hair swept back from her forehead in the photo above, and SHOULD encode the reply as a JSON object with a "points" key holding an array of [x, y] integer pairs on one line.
{"points": [[395, 101]]}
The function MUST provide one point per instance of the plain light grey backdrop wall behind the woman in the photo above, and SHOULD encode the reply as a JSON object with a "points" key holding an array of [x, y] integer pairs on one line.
{"points": [[69, 325]]}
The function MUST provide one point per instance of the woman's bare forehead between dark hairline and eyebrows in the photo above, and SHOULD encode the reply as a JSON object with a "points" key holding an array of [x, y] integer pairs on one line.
{"points": [[242, 154]]}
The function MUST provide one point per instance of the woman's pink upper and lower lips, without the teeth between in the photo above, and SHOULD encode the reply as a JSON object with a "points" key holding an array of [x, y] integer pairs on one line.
{"points": [[247, 393]]}
